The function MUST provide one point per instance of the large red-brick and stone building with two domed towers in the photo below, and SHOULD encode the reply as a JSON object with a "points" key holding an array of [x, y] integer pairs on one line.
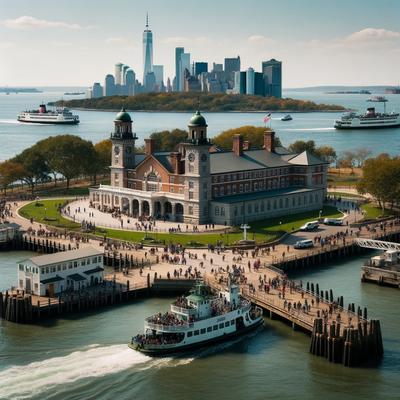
{"points": [[197, 186]]}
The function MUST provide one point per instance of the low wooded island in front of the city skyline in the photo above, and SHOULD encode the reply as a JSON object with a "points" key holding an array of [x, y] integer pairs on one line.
{"points": [[211, 102]]}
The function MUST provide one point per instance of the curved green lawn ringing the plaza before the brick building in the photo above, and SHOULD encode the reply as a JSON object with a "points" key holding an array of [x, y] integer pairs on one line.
{"points": [[46, 212]]}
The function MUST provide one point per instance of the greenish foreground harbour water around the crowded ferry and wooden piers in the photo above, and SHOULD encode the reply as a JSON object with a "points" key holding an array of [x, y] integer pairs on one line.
{"points": [[87, 357]]}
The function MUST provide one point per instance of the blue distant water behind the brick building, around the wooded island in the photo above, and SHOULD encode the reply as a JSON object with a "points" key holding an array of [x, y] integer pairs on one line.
{"points": [[97, 125]]}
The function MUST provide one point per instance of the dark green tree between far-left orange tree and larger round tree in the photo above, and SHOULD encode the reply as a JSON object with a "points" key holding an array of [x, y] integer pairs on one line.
{"points": [[34, 168]]}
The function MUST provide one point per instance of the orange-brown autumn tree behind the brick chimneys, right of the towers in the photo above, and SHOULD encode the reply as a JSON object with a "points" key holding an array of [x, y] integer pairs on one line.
{"points": [[253, 134]]}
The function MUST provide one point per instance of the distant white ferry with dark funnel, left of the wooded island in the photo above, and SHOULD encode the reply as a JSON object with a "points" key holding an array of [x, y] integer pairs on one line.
{"points": [[42, 116]]}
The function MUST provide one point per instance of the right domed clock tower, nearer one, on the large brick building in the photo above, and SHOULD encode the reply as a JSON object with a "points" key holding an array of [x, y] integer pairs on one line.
{"points": [[197, 171]]}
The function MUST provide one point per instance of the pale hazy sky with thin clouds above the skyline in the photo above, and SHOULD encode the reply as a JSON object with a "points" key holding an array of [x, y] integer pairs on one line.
{"points": [[320, 42]]}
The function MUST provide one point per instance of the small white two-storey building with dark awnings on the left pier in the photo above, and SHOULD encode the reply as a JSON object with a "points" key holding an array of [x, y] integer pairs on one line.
{"points": [[51, 274]]}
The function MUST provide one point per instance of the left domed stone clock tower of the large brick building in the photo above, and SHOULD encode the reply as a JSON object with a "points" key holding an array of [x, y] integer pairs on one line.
{"points": [[123, 149]]}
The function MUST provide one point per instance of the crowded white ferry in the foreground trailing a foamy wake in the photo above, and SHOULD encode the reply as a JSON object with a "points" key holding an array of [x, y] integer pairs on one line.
{"points": [[197, 320]]}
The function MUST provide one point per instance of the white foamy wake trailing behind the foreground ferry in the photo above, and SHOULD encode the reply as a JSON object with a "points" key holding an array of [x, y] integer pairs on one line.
{"points": [[25, 381]]}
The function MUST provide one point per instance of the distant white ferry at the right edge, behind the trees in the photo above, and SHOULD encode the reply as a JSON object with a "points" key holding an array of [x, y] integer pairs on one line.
{"points": [[371, 119]]}
